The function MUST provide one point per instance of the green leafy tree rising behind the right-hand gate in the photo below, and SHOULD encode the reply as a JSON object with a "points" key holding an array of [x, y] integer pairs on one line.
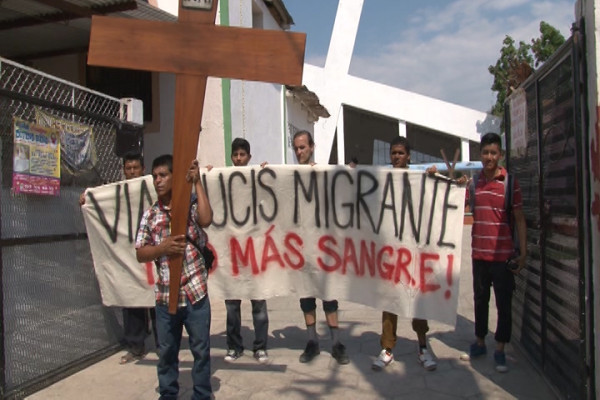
{"points": [[514, 64]]}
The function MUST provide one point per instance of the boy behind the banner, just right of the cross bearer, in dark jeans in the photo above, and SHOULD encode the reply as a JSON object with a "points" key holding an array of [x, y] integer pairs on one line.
{"points": [[240, 156]]}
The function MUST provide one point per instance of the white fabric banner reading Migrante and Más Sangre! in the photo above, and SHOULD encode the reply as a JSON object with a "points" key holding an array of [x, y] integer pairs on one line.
{"points": [[386, 238]]}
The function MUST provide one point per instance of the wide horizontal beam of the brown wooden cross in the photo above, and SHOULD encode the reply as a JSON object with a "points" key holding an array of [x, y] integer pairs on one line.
{"points": [[195, 49]]}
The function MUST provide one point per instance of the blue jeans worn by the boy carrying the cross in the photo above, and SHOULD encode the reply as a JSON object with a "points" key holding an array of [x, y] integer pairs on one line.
{"points": [[196, 319]]}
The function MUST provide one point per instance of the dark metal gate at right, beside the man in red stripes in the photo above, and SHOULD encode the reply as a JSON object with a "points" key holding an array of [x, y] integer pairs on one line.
{"points": [[550, 309]]}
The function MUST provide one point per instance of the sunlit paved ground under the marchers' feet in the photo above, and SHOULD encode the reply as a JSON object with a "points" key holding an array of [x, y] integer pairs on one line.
{"points": [[286, 378]]}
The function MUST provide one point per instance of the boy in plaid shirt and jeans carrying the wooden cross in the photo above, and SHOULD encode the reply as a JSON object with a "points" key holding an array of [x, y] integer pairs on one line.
{"points": [[155, 243]]}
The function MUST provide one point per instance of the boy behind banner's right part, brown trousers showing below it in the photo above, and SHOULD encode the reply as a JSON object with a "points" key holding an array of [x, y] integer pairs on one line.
{"points": [[400, 158]]}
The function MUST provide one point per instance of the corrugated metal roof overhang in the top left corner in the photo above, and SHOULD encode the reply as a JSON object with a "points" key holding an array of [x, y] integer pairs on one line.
{"points": [[34, 28]]}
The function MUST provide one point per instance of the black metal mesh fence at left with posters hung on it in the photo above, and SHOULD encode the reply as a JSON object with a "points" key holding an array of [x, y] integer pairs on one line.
{"points": [[53, 322]]}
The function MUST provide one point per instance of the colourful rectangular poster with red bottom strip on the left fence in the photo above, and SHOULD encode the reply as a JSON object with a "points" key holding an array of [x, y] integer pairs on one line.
{"points": [[36, 159]]}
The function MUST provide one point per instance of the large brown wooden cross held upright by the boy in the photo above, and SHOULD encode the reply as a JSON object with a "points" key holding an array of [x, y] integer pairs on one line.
{"points": [[194, 48]]}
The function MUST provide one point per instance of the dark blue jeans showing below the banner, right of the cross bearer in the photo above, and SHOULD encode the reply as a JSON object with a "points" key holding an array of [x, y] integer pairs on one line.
{"points": [[260, 318]]}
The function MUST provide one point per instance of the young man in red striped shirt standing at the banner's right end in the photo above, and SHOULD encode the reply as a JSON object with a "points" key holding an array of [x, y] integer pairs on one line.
{"points": [[492, 248]]}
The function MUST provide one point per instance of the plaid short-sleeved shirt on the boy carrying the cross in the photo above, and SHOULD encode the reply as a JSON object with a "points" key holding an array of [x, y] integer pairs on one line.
{"points": [[155, 226]]}
